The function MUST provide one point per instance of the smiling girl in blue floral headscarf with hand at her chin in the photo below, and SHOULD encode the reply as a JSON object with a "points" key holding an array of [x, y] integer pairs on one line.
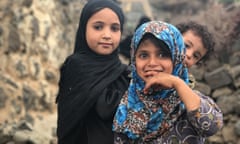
{"points": [[159, 106]]}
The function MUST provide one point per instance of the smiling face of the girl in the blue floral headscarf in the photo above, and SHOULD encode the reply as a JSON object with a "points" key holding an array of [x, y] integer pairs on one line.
{"points": [[150, 60]]}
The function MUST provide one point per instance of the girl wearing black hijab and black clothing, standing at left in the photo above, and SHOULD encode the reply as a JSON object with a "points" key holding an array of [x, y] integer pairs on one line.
{"points": [[91, 83]]}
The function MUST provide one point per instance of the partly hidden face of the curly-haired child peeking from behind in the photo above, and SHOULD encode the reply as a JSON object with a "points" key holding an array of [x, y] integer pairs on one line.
{"points": [[195, 49]]}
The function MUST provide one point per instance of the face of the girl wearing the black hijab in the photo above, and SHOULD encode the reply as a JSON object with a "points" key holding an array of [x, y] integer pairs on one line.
{"points": [[103, 31]]}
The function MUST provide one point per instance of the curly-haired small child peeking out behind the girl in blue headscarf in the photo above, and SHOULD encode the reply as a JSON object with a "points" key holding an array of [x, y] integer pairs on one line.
{"points": [[199, 44]]}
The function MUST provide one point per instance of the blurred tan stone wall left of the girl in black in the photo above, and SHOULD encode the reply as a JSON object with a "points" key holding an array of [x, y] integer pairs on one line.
{"points": [[35, 38]]}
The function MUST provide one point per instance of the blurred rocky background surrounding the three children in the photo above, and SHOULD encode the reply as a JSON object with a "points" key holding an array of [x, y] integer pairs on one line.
{"points": [[37, 35]]}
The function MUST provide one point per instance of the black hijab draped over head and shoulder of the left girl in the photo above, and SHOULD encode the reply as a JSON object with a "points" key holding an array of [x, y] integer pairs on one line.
{"points": [[85, 74]]}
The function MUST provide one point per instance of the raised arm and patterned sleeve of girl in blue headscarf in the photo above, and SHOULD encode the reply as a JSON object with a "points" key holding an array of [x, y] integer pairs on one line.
{"points": [[202, 112]]}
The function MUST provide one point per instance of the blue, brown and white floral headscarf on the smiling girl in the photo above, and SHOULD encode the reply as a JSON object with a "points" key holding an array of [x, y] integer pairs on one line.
{"points": [[141, 116]]}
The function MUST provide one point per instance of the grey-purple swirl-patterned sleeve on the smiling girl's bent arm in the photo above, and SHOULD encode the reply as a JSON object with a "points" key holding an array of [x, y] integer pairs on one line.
{"points": [[208, 119]]}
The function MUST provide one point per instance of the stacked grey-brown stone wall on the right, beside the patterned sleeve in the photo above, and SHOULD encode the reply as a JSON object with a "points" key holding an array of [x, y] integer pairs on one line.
{"points": [[222, 83]]}
